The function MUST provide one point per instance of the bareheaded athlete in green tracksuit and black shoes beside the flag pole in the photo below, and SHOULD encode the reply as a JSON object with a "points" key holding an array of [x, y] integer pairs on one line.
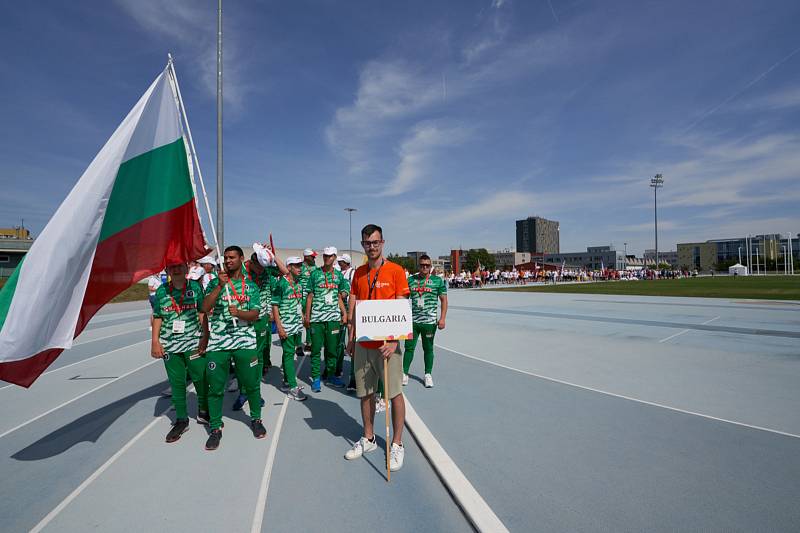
{"points": [[232, 295]]}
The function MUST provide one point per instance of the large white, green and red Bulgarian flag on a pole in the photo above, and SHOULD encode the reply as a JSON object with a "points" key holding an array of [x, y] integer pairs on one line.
{"points": [[131, 213]]}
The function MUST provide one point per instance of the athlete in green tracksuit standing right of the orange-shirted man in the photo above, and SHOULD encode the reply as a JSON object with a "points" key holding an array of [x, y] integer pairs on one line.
{"points": [[426, 291]]}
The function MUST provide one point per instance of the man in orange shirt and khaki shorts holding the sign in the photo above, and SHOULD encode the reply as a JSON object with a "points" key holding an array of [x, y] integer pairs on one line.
{"points": [[379, 279]]}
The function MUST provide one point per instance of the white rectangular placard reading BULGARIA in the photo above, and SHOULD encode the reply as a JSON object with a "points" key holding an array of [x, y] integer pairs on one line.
{"points": [[383, 320]]}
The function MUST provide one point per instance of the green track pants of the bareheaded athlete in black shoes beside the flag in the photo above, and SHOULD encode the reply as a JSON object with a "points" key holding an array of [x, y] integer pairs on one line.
{"points": [[217, 369]]}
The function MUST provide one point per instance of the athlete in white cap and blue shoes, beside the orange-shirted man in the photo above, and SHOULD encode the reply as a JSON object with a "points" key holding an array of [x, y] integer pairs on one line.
{"points": [[324, 316]]}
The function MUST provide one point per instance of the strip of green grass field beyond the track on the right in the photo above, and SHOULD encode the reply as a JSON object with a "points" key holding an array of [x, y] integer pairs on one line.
{"points": [[752, 287]]}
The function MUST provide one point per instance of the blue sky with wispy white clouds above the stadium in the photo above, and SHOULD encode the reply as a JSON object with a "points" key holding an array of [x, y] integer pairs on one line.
{"points": [[444, 122]]}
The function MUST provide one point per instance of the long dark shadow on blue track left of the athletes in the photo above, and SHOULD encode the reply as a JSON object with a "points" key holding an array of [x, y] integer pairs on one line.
{"points": [[91, 426]]}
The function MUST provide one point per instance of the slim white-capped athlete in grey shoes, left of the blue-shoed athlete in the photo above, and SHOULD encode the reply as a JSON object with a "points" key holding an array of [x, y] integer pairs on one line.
{"points": [[287, 297]]}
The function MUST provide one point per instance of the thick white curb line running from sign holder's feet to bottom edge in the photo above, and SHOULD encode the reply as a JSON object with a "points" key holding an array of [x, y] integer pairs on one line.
{"points": [[474, 506]]}
